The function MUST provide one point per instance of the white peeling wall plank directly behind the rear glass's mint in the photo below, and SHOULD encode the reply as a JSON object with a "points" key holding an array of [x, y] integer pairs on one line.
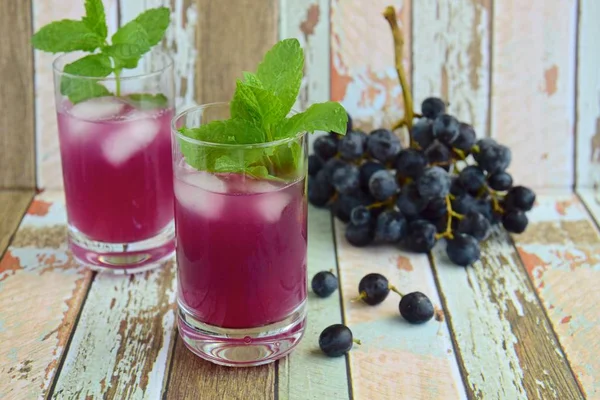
{"points": [[179, 42]]}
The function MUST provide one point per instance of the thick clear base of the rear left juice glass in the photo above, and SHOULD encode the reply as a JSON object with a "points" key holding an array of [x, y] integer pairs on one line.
{"points": [[123, 258]]}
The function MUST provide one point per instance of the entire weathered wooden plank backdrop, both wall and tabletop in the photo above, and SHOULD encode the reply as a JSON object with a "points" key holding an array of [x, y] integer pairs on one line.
{"points": [[520, 323]]}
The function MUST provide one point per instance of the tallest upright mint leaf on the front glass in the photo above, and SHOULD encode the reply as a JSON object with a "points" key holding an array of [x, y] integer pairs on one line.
{"points": [[281, 71]]}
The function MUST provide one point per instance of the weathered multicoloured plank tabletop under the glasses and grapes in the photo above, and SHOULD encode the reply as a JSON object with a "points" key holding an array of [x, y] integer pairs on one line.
{"points": [[520, 323]]}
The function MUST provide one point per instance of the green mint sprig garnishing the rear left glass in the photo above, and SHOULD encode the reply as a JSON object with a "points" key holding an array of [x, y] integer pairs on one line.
{"points": [[128, 45]]}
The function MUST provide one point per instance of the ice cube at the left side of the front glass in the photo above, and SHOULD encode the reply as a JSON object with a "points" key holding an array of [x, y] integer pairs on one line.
{"points": [[199, 192]]}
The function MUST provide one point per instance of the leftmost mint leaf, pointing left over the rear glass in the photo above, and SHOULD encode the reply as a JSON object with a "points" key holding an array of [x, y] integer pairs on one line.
{"points": [[65, 36]]}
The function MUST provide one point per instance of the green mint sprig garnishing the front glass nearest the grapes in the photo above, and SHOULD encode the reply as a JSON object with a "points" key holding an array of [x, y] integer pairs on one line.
{"points": [[259, 114]]}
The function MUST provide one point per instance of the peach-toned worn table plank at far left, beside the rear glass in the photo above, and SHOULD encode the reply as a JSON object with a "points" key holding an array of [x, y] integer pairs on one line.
{"points": [[41, 291]]}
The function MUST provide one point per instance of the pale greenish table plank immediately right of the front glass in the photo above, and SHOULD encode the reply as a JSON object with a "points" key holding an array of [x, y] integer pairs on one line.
{"points": [[307, 373]]}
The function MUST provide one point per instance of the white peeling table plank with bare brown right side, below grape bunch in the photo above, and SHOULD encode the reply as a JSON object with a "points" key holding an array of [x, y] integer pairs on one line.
{"points": [[507, 347]]}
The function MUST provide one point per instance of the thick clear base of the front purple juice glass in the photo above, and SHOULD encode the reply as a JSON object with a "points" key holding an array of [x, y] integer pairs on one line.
{"points": [[242, 347]]}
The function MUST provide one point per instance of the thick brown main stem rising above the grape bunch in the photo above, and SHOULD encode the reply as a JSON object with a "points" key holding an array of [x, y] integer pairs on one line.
{"points": [[390, 16]]}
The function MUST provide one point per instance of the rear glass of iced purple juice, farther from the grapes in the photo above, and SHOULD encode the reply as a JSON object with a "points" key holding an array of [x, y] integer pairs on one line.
{"points": [[116, 157]]}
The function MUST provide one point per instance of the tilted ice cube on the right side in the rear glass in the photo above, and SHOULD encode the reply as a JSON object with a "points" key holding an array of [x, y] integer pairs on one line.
{"points": [[131, 138]]}
